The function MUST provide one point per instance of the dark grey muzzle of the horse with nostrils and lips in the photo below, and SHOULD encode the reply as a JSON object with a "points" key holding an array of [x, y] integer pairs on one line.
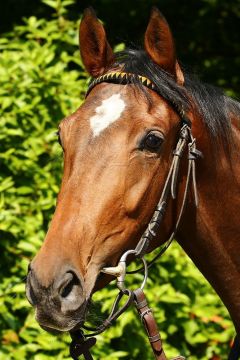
{"points": [[62, 304]]}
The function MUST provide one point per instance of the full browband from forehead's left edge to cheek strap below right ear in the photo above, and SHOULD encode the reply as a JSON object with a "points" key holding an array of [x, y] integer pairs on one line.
{"points": [[124, 78]]}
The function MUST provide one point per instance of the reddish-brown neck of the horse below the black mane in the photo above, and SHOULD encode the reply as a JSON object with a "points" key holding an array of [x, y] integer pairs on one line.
{"points": [[210, 234]]}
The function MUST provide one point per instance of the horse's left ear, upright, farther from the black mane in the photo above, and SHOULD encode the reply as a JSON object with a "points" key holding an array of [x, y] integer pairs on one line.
{"points": [[95, 50]]}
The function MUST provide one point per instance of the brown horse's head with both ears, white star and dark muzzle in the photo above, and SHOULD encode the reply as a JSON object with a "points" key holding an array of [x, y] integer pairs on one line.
{"points": [[117, 149]]}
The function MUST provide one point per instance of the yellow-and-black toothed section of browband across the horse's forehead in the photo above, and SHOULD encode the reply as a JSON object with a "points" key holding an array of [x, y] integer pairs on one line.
{"points": [[121, 78]]}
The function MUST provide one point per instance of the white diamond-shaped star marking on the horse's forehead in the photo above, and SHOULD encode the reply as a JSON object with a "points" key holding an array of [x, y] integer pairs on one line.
{"points": [[109, 111]]}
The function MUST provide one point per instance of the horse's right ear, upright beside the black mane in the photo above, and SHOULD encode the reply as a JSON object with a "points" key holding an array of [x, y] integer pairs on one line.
{"points": [[159, 45]]}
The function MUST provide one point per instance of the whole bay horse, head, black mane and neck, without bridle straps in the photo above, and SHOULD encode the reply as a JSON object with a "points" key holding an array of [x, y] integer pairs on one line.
{"points": [[117, 153]]}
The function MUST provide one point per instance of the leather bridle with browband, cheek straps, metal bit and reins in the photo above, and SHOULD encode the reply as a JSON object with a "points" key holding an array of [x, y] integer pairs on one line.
{"points": [[81, 343]]}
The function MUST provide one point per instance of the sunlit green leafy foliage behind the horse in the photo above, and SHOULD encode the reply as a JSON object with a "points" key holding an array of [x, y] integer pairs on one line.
{"points": [[42, 81]]}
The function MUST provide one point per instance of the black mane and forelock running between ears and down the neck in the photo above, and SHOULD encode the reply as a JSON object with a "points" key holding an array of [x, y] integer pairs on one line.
{"points": [[213, 106]]}
